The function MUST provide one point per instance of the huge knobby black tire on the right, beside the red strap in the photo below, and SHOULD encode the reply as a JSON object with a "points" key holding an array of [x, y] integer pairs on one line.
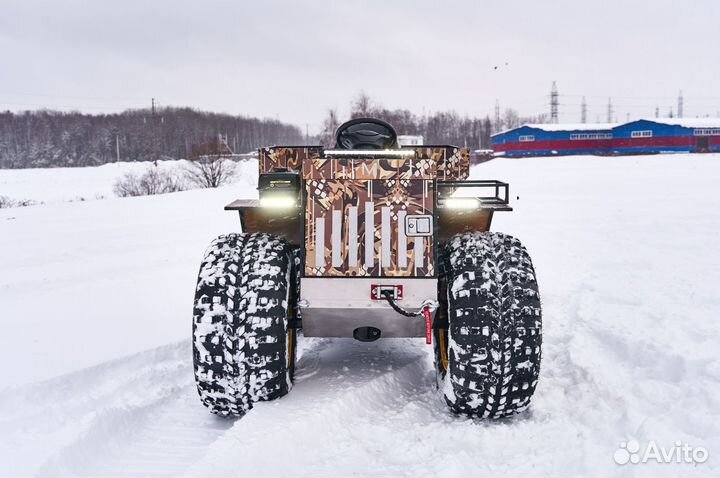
{"points": [[488, 344]]}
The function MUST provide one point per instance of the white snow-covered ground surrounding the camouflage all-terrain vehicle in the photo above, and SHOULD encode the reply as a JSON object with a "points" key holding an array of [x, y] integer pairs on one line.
{"points": [[95, 305]]}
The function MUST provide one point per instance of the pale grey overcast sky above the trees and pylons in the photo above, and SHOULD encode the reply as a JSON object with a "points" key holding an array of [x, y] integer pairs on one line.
{"points": [[293, 60]]}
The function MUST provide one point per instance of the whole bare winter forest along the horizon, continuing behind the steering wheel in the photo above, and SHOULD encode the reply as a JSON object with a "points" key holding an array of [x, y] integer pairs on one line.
{"points": [[43, 138]]}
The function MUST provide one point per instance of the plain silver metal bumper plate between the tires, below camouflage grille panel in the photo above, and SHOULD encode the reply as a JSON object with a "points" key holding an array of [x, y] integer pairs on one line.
{"points": [[337, 306]]}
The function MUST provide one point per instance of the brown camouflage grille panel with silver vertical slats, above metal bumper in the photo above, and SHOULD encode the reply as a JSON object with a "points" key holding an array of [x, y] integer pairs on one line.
{"points": [[357, 228]]}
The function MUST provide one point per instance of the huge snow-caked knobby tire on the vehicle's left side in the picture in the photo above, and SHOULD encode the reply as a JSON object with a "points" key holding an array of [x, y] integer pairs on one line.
{"points": [[240, 323]]}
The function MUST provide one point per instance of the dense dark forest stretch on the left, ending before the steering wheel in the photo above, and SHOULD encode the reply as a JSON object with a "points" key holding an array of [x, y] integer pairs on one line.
{"points": [[51, 138]]}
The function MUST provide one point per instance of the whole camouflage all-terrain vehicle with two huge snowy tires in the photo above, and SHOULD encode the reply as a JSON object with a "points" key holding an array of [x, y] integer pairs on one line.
{"points": [[368, 240]]}
